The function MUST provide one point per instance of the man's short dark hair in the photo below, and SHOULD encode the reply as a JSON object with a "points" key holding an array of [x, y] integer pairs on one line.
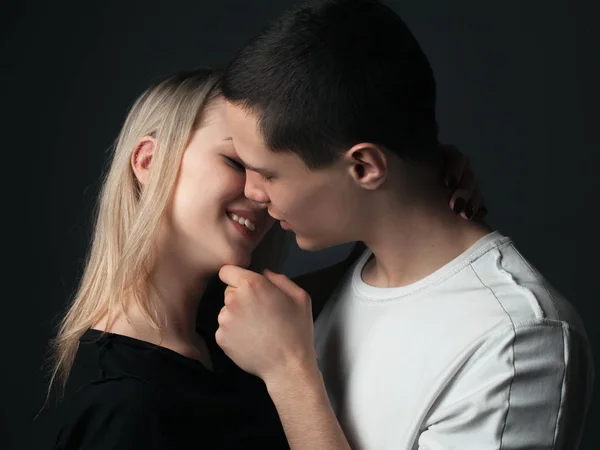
{"points": [[331, 74]]}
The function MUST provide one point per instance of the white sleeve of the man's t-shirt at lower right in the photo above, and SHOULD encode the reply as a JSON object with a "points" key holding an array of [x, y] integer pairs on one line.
{"points": [[527, 387]]}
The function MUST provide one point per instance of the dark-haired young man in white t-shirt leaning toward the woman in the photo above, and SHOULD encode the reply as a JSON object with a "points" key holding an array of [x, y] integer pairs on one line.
{"points": [[441, 335]]}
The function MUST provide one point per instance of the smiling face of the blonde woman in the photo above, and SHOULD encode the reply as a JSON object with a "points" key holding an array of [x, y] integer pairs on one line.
{"points": [[210, 221]]}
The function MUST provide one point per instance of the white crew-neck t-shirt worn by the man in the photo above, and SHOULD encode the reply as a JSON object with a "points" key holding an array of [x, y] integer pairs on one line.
{"points": [[481, 354]]}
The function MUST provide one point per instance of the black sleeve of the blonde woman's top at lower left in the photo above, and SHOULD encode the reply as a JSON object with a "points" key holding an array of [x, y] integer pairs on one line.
{"points": [[116, 414]]}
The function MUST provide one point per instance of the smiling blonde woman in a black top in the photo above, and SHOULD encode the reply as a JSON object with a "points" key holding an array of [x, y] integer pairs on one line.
{"points": [[141, 374]]}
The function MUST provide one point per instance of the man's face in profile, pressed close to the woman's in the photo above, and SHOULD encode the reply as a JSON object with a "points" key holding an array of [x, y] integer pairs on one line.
{"points": [[320, 206]]}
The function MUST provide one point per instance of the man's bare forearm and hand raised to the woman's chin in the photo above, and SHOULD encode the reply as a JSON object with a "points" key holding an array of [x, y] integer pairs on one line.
{"points": [[266, 328]]}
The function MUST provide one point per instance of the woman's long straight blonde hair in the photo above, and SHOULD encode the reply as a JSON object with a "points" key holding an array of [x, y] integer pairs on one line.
{"points": [[127, 218]]}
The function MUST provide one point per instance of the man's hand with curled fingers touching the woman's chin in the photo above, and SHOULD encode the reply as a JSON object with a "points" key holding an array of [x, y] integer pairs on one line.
{"points": [[266, 325]]}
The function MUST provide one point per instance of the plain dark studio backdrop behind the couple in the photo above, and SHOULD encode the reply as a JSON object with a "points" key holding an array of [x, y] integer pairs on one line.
{"points": [[518, 93]]}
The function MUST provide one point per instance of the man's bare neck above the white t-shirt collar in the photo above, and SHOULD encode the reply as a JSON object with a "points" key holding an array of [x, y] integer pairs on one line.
{"points": [[411, 242]]}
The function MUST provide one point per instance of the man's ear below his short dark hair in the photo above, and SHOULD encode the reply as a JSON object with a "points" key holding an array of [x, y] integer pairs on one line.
{"points": [[367, 165]]}
